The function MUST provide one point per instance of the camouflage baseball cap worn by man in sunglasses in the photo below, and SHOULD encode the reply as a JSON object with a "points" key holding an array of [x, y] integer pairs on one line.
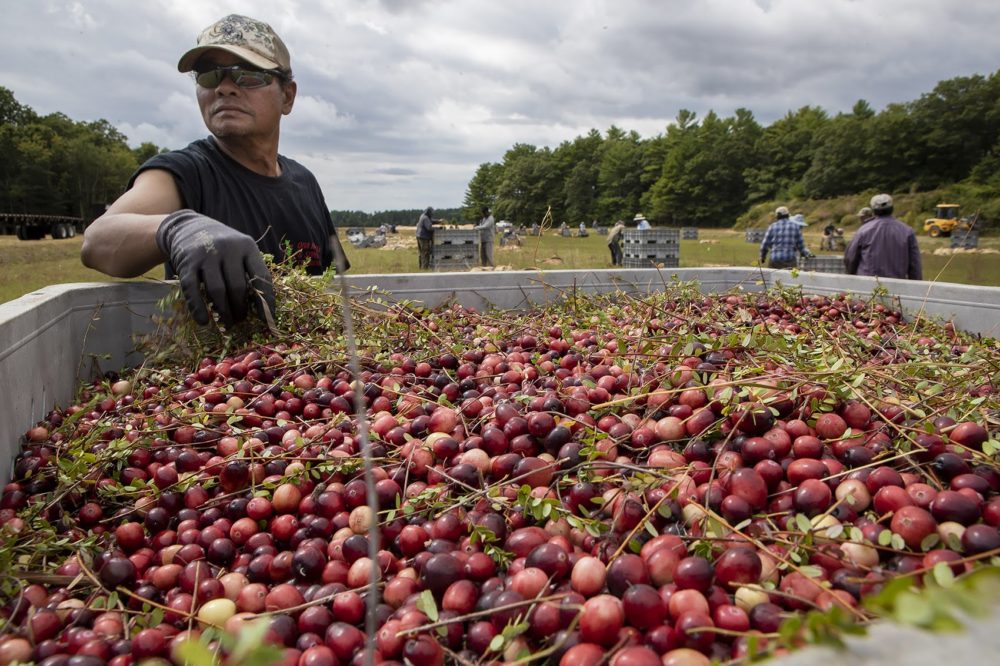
{"points": [[252, 40]]}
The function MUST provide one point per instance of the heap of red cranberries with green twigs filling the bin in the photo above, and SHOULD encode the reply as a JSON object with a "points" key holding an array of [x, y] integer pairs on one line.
{"points": [[627, 481]]}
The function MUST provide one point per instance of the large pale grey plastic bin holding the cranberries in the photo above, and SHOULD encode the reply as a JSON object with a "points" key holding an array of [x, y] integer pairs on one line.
{"points": [[55, 337]]}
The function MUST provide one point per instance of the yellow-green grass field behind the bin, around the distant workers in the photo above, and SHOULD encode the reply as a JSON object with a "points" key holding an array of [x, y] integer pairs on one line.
{"points": [[29, 265]]}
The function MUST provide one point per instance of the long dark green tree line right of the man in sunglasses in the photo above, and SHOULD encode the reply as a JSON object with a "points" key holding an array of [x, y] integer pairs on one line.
{"points": [[708, 172]]}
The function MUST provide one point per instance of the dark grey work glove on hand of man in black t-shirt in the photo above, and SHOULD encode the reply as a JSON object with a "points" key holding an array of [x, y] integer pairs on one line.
{"points": [[205, 252]]}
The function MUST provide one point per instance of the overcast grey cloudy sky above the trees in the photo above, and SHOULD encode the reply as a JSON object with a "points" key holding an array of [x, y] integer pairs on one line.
{"points": [[400, 100]]}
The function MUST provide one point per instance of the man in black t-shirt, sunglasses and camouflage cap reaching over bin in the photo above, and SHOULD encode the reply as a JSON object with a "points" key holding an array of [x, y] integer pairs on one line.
{"points": [[211, 209]]}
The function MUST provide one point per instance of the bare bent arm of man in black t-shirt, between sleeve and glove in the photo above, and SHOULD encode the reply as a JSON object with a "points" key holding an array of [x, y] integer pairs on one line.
{"points": [[122, 242]]}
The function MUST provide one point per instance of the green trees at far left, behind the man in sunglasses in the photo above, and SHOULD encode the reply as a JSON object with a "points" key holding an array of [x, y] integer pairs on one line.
{"points": [[54, 165]]}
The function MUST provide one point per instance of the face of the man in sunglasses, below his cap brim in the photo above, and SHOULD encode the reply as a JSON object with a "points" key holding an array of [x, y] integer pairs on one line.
{"points": [[231, 111]]}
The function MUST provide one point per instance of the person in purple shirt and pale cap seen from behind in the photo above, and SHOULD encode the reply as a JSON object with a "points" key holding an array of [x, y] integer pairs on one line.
{"points": [[884, 246]]}
